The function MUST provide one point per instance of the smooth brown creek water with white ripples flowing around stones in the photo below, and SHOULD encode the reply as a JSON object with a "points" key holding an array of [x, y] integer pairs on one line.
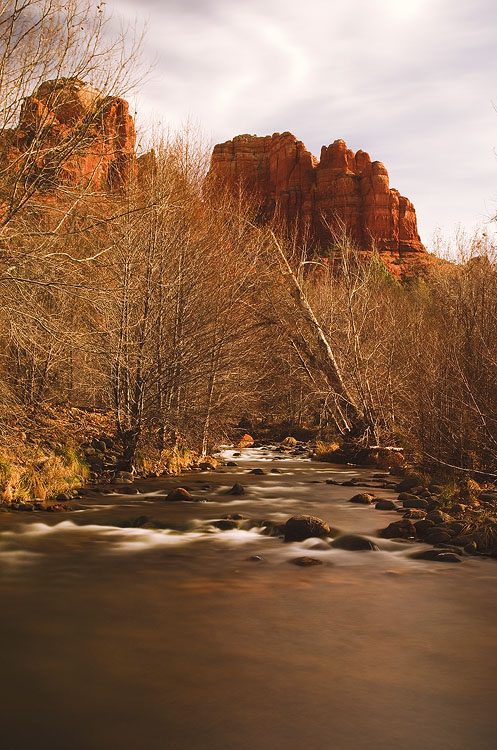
{"points": [[174, 639]]}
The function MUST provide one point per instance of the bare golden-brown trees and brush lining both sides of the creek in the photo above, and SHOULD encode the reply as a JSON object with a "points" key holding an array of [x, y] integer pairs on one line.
{"points": [[168, 314]]}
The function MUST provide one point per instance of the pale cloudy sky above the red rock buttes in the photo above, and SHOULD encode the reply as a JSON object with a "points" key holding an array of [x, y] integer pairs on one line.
{"points": [[413, 82]]}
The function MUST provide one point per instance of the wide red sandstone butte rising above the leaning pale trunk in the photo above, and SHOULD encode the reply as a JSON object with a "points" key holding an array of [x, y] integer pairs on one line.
{"points": [[316, 196]]}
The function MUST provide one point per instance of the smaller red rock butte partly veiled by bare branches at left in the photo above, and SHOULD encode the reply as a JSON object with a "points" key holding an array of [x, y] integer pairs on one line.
{"points": [[97, 132]]}
